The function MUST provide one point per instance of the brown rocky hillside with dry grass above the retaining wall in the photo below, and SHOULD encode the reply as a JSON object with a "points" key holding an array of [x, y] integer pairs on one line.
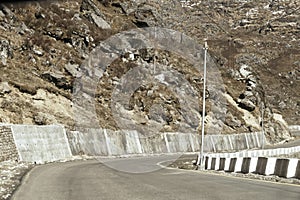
{"points": [[44, 47]]}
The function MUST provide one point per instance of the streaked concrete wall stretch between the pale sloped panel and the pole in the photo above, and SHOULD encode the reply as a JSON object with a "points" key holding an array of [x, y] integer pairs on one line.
{"points": [[103, 142]]}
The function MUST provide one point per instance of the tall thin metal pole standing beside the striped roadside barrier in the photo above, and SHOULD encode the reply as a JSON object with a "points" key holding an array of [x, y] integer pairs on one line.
{"points": [[201, 156]]}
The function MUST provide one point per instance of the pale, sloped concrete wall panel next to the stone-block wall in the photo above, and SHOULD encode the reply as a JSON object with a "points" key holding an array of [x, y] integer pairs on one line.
{"points": [[41, 143]]}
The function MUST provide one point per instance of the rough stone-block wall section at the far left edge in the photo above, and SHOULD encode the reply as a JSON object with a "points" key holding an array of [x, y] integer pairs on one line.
{"points": [[8, 150]]}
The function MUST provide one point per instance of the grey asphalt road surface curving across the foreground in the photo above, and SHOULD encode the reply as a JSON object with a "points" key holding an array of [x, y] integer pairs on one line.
{"points": [[108, 179]]}
